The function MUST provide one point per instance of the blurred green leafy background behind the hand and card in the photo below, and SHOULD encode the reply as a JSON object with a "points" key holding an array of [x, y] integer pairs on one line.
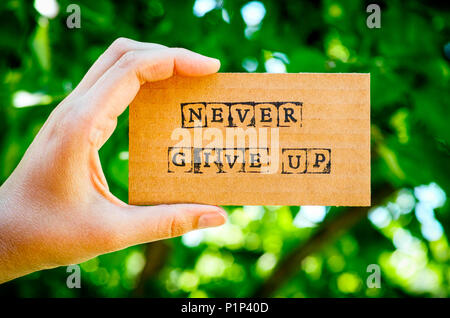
{"points": [[408, 59]]}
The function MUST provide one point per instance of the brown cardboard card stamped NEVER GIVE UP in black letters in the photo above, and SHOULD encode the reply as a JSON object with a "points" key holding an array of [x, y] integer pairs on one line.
{"points": [[252, 139]]}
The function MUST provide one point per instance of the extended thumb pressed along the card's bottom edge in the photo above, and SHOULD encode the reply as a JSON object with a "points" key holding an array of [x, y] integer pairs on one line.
{"points": [[141, 224]]}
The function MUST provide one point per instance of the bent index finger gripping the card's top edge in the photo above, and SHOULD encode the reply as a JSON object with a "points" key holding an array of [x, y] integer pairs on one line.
{"points": [[118, 86]]}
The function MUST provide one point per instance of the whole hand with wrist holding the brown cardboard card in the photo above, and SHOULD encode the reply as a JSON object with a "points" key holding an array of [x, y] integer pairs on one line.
{"points": [[56, 208]]}
